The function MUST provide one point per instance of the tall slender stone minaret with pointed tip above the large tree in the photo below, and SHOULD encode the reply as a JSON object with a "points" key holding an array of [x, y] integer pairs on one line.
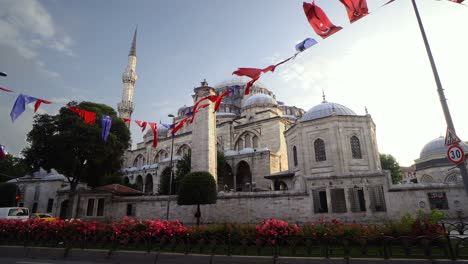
{"points": [[125, 107]]}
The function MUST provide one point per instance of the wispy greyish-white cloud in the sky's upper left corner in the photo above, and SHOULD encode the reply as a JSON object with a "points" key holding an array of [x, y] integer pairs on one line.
{"points": [[26, 26]]}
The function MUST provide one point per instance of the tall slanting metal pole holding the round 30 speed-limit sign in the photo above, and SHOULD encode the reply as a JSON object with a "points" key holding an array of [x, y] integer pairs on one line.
{"points": [[443, 100]]}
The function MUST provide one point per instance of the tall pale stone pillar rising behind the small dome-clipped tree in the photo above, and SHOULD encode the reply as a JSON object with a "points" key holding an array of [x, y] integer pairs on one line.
{"points": [[204, 134]]}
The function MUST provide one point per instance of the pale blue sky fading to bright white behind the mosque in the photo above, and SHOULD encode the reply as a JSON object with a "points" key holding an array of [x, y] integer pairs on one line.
{"points": [[77, 50]]}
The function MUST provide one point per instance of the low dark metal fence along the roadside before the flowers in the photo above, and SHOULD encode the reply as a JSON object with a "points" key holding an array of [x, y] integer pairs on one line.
{"points": [[453, 245]]}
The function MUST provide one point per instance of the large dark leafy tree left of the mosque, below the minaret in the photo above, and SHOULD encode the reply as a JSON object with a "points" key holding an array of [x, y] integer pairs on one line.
{"points": [[75, 149]]}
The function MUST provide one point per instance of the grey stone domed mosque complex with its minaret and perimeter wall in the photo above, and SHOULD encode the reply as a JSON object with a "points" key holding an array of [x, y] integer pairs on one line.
{"points": [[282, 162]]}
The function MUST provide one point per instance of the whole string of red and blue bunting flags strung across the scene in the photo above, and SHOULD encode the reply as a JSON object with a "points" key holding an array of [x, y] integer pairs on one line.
{"points": [[318, 20]]}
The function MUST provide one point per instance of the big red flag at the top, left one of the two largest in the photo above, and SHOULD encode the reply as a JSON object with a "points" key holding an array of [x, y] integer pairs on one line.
{"points": [[319, 20]]}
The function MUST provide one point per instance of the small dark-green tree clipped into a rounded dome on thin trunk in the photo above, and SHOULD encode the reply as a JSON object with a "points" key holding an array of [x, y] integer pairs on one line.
{"points": [[197, 187]]}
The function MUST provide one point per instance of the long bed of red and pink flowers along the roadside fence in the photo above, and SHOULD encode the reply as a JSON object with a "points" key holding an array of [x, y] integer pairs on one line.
{"points": [[270, 231]]}
